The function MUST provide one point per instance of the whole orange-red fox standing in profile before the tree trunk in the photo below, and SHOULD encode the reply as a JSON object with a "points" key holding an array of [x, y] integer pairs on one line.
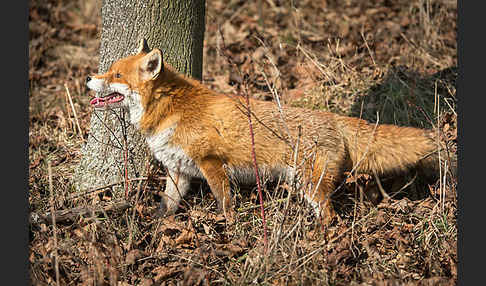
{"points": [[197, 132]]}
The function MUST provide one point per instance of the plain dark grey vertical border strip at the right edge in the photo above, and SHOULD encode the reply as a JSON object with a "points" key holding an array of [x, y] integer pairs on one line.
{"points": [[470, 94]]}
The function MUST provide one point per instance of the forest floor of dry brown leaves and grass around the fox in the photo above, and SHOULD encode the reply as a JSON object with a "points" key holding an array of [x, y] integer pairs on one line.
{"points": [[391, 61]]}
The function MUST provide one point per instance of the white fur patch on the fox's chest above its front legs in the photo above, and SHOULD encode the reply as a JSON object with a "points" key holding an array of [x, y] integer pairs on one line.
{"points": [[172, 156]]}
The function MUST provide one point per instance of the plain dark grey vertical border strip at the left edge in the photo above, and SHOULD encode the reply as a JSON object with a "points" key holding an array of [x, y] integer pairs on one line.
{"points": [[15, 118]]}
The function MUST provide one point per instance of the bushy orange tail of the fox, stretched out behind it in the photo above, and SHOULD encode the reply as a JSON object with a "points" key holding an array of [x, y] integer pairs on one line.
{"points": [[388, 149]]}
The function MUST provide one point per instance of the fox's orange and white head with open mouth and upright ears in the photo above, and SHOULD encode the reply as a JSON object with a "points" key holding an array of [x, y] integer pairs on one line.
{"points": [[121, 86]]}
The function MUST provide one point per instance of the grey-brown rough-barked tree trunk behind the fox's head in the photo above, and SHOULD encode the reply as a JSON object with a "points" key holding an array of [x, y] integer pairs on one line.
{"points": [[176, 27]]}
